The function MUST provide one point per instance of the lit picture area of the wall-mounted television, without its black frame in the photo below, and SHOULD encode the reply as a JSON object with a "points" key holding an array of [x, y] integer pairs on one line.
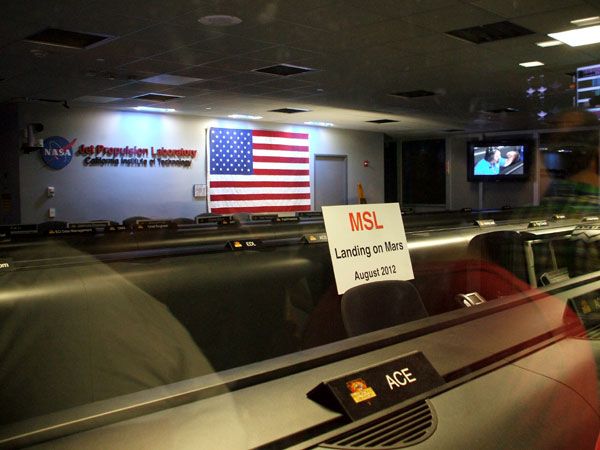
{"points": [[494, 160]]}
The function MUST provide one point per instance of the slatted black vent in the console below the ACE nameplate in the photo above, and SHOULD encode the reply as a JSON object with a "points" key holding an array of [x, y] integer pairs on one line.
{"points": [[402, 429]]}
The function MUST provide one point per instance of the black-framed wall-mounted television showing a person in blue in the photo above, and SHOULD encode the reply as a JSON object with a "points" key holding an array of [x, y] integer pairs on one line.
{"points": [[500, 160]]}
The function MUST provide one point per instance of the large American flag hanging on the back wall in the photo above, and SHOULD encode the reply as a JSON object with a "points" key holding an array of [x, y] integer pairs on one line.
{"points": [[257, 171]]}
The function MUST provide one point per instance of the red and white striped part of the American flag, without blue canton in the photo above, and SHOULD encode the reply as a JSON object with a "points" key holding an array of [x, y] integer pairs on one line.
{"points": [[281, 179]]}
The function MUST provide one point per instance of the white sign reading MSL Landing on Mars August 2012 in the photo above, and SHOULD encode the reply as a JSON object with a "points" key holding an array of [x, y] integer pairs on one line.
{"points": [[367, 243]]}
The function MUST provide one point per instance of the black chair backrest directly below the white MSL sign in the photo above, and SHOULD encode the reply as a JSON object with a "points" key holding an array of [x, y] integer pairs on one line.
{"points": [[380, 304]]}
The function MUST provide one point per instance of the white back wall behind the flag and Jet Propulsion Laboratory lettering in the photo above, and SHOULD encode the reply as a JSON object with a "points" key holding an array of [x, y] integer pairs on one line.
{"points": [[87, 193]]}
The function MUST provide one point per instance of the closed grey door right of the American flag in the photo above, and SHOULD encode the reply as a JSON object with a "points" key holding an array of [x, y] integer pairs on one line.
{"points": [[331, 185]]}
